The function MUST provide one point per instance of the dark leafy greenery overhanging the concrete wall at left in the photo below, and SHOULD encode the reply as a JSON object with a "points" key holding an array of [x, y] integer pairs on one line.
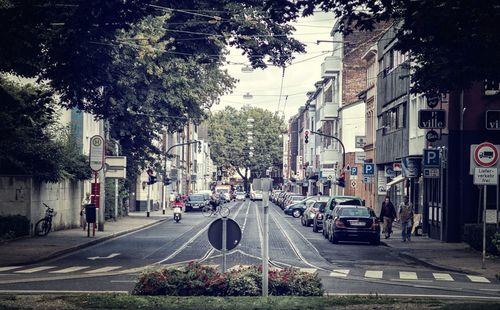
{"points": [[33, 143]]}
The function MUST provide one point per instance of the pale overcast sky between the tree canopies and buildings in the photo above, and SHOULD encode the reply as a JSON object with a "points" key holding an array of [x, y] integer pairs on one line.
{"points": [[299, 78]]}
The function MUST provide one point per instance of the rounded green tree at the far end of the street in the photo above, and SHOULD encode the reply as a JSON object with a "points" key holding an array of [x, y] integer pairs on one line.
{"points": [[228, 134]]}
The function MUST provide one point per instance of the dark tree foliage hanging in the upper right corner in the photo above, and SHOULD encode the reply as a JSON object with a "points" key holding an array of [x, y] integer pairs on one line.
{"points": [[451, 43]]}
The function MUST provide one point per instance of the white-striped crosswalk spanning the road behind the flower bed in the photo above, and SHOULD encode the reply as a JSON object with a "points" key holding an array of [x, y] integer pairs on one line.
{"points": [[335, 273]]}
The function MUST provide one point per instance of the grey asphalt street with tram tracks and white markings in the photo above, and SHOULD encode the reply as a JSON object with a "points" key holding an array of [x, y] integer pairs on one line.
{"points": [[346, 268]]}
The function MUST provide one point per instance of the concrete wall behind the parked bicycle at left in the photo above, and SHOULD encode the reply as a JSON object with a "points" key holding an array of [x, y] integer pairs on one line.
{"points": [[20, 195]]}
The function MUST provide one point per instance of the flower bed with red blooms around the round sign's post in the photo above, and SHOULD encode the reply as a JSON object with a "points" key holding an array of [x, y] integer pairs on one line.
{"points": [[195, 279]]}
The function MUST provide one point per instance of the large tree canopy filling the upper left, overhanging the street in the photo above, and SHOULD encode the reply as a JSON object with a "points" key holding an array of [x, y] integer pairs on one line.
{"points": [[141, 65]]}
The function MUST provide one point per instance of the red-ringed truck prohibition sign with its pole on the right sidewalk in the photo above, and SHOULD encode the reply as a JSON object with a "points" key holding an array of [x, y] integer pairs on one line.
{"points": [[486, 156]]}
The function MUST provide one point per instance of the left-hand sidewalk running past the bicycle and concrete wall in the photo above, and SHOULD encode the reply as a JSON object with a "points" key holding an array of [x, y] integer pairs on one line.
{"points": [[32, 250]]}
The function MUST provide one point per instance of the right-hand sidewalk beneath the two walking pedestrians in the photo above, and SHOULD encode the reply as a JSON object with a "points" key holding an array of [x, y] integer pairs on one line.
{"points": [[456, 257]]}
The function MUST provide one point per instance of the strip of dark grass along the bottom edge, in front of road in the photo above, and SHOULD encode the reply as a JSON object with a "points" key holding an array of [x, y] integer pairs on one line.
{"points": [[124, 301]]}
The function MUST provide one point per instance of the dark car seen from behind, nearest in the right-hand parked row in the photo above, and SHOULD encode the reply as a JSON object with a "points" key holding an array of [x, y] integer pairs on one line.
{"points": [[354, 223]]}
